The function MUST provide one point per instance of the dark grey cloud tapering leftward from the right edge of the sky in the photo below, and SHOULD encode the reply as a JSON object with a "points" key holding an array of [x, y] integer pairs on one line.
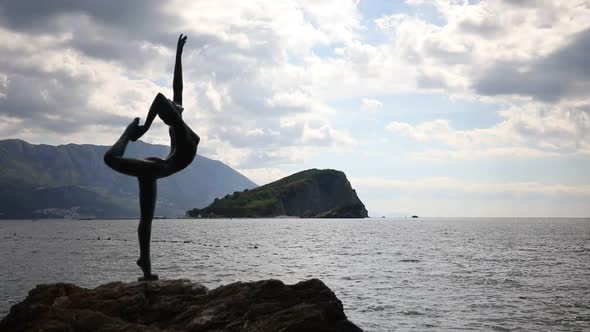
{"points": [[563, 73]]}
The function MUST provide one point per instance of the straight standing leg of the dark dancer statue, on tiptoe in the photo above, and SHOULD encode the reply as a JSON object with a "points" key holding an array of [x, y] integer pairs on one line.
{"points": [[147, 203]]}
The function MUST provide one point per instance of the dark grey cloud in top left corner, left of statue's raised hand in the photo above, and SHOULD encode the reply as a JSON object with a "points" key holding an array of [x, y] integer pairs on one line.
{"points": [[110, 30]]}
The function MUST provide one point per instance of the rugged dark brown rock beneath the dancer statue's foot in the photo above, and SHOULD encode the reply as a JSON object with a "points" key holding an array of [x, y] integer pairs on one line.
{"points": [[180, 305]]}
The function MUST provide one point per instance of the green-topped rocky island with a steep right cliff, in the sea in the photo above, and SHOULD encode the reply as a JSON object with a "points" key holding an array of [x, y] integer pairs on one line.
{"points": [[308, 194]]}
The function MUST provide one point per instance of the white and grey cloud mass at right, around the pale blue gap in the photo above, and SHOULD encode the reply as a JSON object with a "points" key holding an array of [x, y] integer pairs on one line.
{"points": [[527, 56]]}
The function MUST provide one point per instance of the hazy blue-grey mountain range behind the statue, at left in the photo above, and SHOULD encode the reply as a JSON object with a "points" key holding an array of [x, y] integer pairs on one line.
{"points": [[38, 181]]}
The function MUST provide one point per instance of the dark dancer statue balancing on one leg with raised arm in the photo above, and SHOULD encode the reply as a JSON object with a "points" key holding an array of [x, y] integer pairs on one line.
{"points": [[183, 148]]}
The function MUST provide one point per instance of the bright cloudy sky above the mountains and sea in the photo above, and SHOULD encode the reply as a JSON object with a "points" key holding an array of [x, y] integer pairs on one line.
{"points": [[440, 108]]}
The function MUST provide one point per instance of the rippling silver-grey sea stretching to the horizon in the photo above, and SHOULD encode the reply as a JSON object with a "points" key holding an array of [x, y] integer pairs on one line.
{"points": [[403, 274]]}
